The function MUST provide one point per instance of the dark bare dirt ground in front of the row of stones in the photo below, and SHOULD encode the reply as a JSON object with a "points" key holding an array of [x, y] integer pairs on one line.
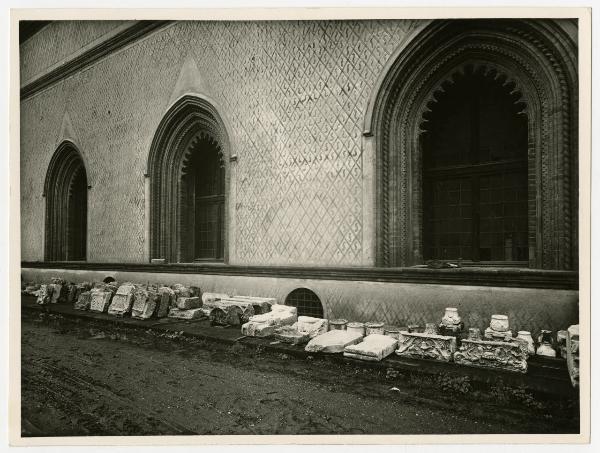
{"points": [[80, 378]]}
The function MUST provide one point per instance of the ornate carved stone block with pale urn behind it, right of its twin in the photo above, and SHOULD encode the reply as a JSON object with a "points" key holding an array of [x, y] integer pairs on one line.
{"points": [[505, 355]]}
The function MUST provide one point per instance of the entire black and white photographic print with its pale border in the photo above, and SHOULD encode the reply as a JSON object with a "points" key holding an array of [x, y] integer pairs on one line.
{"points": [[332, 225]]}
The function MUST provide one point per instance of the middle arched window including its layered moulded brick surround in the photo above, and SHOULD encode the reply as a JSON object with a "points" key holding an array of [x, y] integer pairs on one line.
{"points": [[187, 167]]}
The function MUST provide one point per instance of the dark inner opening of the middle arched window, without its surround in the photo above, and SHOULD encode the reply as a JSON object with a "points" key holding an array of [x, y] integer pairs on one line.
{"points": [[203, 198]]}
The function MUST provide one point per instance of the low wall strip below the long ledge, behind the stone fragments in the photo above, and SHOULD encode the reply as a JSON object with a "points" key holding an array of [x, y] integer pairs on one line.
{"points": [[397, 304]]}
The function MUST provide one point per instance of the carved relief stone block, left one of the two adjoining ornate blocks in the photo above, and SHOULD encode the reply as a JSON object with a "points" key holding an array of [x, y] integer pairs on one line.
{"points": [[426, 346]]}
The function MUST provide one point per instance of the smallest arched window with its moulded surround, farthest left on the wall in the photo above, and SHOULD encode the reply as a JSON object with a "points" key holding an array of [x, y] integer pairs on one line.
{"points": [[66, 206]]}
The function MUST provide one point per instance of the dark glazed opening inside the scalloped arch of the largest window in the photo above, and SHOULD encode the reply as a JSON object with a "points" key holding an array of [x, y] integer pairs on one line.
{"points": [[475, 172]]}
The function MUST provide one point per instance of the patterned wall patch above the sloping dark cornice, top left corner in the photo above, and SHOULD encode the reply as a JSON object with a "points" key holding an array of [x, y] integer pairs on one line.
{"points": [[60, 40]]}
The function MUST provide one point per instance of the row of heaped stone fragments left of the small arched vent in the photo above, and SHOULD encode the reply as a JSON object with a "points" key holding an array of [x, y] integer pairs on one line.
{"points": [[145, 301]]}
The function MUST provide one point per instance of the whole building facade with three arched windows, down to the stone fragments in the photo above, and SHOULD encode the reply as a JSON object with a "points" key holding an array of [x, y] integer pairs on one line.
{"points": [[336, 156]]}
